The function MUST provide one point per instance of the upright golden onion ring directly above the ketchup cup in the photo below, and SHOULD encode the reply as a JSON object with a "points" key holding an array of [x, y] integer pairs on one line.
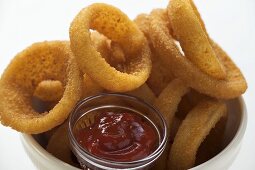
{"points": [[111, 22]]}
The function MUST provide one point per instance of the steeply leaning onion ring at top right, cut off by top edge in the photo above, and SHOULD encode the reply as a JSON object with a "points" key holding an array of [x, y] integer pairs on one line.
{"points": [[189, 30]]}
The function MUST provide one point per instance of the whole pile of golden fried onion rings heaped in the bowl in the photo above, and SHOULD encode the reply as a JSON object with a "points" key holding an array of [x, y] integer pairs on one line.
{"points": [[42, 84]]}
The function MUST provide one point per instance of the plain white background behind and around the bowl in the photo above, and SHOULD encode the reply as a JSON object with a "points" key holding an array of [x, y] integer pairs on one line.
{"points": [[231, 23]]}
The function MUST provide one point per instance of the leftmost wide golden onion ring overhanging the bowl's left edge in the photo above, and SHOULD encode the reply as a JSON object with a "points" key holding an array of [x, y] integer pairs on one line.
{"points": [[41, 61]]}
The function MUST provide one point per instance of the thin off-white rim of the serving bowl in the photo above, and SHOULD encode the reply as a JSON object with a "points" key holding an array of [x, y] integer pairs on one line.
{"points": [[29, 141]]}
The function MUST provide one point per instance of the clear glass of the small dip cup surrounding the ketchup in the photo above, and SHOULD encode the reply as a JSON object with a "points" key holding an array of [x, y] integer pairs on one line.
{"points": [[83, 116]]}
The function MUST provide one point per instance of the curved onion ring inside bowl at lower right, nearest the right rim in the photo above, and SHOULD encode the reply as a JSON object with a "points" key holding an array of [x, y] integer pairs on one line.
{"points": [[194, 129]]}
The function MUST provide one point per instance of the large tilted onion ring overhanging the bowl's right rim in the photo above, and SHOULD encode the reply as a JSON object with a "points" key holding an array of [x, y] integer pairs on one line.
{"points": [[234, 84]]}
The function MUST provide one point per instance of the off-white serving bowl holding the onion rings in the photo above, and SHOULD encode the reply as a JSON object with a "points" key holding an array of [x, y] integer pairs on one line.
{"points": [[235, 129]]}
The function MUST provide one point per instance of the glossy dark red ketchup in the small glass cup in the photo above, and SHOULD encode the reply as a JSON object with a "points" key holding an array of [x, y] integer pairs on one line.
{"points": [[123, 136]]}
